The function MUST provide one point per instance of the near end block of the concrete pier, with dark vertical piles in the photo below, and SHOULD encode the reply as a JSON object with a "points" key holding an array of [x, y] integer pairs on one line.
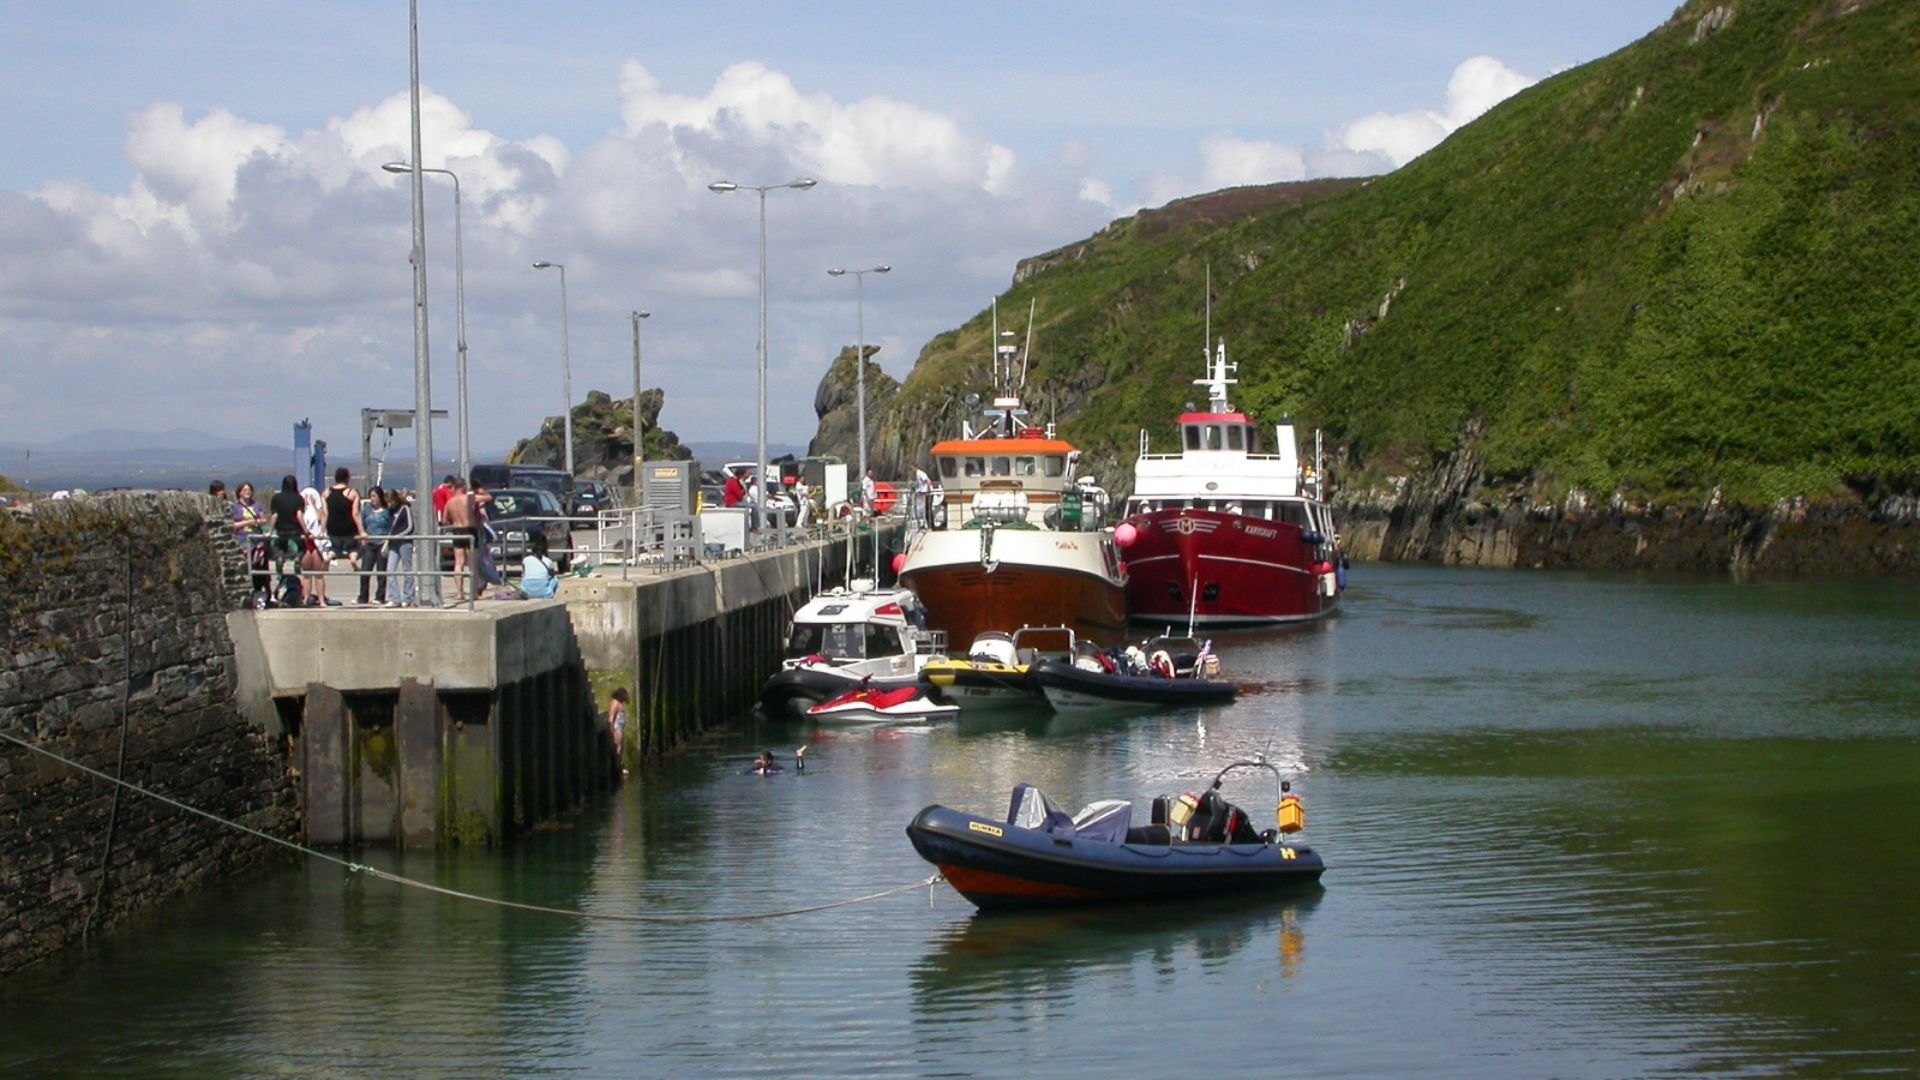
{"points": [[427, 727]]}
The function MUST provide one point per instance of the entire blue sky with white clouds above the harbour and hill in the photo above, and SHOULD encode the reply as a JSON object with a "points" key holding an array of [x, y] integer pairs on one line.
{"points": [[195, 228]]}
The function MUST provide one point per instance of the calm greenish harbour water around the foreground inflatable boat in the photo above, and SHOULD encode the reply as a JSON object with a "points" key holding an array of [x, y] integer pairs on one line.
{"points": [[1577, 825]]}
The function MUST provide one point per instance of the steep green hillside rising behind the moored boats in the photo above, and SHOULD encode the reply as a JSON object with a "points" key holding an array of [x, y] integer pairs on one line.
{"points": [[1691, 264]]}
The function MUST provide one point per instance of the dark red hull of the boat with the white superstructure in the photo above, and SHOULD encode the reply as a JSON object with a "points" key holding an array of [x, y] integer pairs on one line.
{"points": [[1224, 570]]}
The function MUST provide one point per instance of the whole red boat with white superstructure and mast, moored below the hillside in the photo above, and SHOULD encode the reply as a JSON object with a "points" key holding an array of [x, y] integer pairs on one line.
{"points": [[1228, 531]]}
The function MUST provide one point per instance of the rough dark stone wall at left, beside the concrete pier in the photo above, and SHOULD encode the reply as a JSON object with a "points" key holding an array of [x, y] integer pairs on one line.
{"points": [[114, 635]]}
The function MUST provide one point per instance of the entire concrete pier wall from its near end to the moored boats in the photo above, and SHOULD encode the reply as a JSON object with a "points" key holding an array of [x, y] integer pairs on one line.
{"points": [[431, 727]]}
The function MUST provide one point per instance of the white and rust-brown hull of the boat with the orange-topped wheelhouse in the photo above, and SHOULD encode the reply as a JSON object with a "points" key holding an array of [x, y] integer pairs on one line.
{"points": [[1028, 579]]}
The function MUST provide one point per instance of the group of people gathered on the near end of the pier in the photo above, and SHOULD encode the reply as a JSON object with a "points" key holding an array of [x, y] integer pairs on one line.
{"points": [[300, 535]]}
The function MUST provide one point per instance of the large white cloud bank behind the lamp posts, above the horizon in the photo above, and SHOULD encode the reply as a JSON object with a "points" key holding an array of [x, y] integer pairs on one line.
{"points": [[249, 276]]}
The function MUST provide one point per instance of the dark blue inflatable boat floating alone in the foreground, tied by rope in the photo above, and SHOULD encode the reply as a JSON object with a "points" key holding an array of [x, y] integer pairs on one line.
{"points": [[1040, 856]]}
